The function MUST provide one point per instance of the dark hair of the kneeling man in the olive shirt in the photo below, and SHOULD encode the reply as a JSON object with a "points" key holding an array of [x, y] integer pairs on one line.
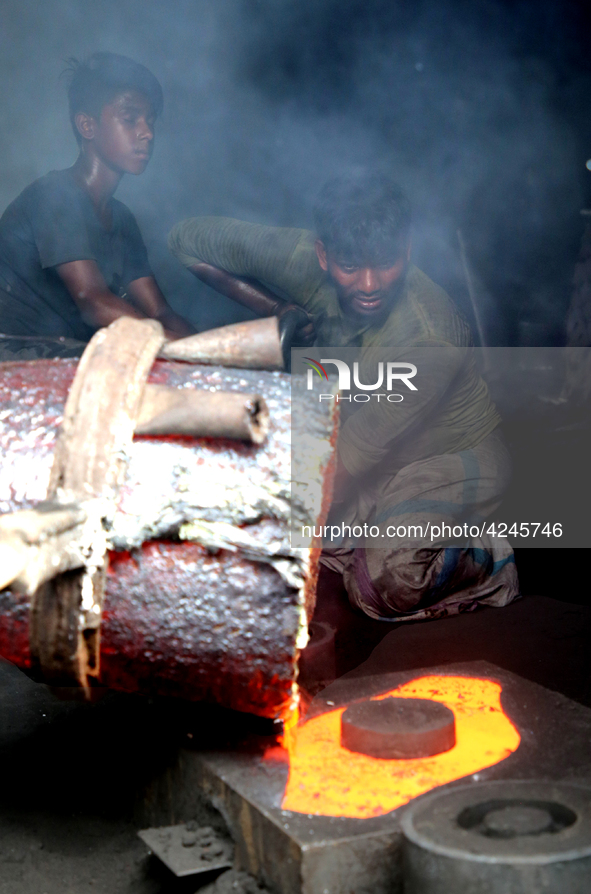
{"points": [[363, 219]]}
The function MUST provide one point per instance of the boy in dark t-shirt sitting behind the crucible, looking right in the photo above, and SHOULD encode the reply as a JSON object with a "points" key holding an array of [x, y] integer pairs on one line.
{"points": [[71, 256]]}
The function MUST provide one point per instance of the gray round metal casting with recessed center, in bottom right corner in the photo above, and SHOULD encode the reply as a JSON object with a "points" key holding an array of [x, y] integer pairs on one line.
{"points": [[509, 837]]}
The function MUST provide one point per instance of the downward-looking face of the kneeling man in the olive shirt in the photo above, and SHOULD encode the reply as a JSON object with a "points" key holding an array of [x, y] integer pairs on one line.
{"points": [[366, 293]]}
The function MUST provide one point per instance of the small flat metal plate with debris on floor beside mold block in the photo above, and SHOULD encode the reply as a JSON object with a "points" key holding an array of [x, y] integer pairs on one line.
{"points": [[189, 849]]}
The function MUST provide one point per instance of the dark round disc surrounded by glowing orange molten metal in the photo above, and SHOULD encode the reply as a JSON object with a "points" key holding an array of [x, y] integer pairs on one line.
{"points": [[398, 728]]}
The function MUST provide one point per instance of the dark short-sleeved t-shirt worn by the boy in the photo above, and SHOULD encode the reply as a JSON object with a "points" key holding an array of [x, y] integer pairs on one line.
{"points": [[52, 222]]}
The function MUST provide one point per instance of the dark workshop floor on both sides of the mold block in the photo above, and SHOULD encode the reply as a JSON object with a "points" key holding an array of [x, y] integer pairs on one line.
{"points": [[72, 773]]}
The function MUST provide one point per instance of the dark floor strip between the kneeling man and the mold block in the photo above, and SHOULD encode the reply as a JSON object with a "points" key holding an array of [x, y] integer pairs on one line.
{"points": [[543, 639]]}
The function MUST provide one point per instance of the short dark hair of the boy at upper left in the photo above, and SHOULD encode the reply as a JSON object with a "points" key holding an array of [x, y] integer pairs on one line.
{"points": [[96, 81]]}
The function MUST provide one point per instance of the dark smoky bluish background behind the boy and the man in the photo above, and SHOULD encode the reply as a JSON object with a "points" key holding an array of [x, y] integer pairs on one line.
{"points": [[480, 108]]}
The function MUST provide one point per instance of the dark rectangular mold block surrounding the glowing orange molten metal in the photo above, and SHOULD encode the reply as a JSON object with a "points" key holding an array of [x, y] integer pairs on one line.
{"points": [[293, 853]]}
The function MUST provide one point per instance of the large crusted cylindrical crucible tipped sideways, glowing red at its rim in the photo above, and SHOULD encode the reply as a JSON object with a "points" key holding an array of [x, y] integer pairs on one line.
{"points": [[204, 598]]}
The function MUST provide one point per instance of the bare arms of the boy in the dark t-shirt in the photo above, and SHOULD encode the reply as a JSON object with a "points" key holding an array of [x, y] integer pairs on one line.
{"points": [[99, 306]]}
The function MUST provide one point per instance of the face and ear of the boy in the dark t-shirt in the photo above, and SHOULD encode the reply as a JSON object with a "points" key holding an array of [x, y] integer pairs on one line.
{"points": [[123, 136]]}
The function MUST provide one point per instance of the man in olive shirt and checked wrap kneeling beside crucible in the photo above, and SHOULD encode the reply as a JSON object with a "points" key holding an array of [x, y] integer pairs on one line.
{"points": [[438, 459]]}
